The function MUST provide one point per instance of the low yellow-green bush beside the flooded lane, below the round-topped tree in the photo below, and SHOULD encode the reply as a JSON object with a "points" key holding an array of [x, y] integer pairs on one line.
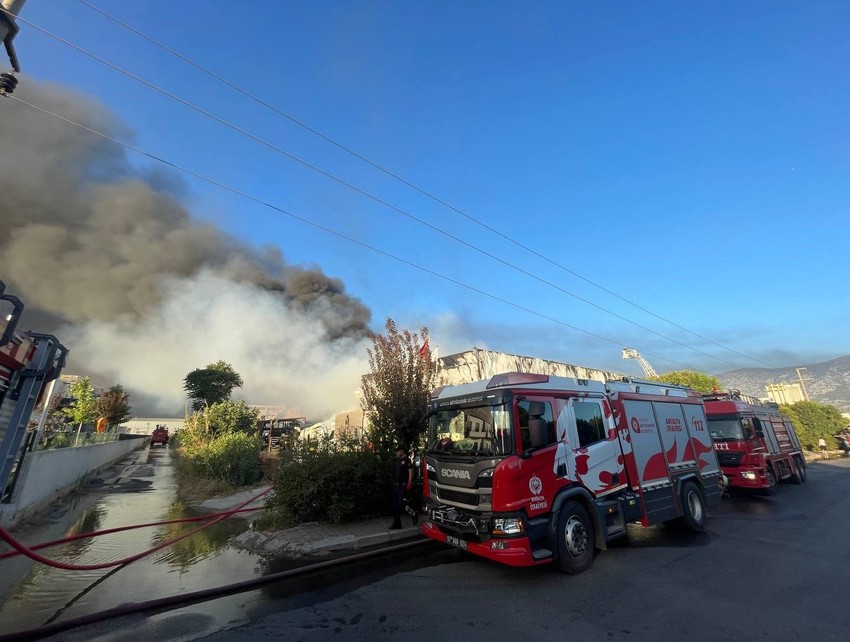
{"points": [[232, 457]]}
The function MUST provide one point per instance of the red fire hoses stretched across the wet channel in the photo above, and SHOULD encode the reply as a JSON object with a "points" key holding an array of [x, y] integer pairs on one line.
{"points": [[29, 551]]}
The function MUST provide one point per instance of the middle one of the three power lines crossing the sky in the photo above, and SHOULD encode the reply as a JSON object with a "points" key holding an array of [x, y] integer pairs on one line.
{"points": [[361, 191]]}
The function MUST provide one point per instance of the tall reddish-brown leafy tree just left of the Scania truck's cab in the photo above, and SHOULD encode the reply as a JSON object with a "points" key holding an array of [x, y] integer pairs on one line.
{"points": [[398, 389]]}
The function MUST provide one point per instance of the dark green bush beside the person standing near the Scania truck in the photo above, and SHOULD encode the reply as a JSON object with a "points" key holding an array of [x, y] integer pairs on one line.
{"points": [[329, 482]]}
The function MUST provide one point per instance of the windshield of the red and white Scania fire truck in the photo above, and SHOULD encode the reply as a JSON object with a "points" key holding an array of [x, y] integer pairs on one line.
{"points": [[484, 431]]}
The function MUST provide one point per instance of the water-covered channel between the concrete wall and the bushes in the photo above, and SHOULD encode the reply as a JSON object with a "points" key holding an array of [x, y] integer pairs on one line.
{"points": [[139, 489]]}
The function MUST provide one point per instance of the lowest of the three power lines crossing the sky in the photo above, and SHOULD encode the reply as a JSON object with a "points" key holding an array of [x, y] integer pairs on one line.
{"points": [[319, 226]]}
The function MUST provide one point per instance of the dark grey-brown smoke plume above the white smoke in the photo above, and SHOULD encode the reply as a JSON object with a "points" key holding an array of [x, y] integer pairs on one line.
{"points": [[85, 238]]}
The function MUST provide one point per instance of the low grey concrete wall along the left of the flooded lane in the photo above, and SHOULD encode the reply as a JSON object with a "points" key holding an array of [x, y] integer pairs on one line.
{"points": [[48, 474]]}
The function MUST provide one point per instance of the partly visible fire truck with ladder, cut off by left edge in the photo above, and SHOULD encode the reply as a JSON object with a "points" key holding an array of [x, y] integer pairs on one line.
{"points": [[28, 360]]}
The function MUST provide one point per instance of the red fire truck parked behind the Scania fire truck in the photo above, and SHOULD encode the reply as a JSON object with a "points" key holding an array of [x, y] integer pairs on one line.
{"points": [[756, 446]]}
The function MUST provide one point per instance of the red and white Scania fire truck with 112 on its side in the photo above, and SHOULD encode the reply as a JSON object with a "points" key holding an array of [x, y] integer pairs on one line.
{"points": [[530, 469]]}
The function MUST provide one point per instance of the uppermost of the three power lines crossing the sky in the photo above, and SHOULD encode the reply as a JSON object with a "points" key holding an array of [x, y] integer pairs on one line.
{"points": [[404, 181]]}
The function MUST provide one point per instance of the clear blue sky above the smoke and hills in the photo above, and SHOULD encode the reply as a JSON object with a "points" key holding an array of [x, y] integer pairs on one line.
{"points": [[691, 158]]}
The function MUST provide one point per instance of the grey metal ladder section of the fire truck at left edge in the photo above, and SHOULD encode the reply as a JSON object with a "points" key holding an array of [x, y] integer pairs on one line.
{"points": [[46, 364]]}
